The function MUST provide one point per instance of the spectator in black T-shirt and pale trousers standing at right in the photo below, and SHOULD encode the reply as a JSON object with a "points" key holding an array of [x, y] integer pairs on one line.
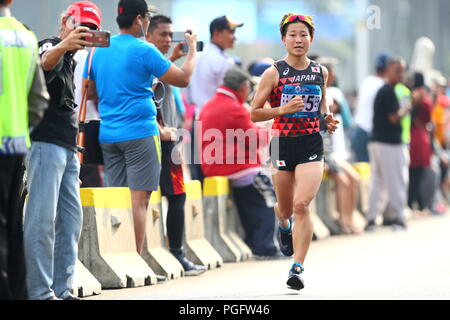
{"points": [[388, 155]]}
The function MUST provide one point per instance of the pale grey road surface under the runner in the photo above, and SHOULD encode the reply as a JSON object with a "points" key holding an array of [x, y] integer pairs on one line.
{"points": [[386, 264]]}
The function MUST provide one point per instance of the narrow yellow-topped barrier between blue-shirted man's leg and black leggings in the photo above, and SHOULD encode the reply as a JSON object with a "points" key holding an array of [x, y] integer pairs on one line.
{"points": [[155, 252]]}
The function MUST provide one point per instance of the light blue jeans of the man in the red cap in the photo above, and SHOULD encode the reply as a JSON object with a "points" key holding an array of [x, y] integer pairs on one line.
{"points": [[53, 220]]}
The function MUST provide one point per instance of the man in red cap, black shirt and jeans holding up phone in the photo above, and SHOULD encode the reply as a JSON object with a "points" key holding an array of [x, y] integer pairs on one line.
{"points": [[53, 216]]}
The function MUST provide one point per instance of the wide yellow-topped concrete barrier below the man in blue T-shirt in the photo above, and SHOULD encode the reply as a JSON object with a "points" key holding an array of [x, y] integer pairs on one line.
{"points": [[107, 246]]}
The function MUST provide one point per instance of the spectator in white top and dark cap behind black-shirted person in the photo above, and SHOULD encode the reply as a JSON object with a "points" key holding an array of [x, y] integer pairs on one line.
{"points": [[364, 110]]}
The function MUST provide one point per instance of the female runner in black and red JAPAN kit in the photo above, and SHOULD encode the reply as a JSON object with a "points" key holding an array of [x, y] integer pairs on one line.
{"points": [[296, 90]]}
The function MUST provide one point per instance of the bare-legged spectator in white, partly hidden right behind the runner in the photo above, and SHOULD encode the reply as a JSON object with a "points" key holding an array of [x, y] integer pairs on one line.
{"points": [[337, 156]]}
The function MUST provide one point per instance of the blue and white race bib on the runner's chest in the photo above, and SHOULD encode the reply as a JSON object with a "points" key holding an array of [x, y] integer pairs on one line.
{"points": [[311, 95]]}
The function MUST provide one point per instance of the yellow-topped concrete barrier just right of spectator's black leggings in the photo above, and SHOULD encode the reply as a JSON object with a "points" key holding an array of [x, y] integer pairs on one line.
{"points": [[198, 248]]}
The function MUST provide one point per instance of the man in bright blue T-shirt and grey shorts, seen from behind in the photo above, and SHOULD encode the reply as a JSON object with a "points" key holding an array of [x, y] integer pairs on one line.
{"points": [[122, 75]]}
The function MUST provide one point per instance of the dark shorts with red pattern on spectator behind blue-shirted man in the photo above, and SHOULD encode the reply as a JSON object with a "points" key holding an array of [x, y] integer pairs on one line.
{"points": [[172, 180]]}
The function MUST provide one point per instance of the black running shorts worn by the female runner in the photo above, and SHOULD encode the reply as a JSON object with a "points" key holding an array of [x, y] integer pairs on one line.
{"points": [[288, 152]]}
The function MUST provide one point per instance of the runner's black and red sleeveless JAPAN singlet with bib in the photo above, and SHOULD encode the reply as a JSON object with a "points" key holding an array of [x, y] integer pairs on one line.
{"points": [[305, 83]]}
